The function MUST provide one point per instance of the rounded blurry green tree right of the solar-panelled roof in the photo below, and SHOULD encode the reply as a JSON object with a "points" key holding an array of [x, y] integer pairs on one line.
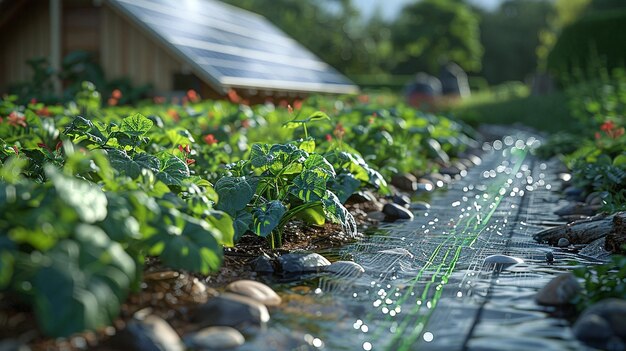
{"points": [[431, 32]]}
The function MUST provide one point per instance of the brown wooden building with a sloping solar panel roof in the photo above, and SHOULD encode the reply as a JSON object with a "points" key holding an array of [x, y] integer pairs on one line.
{"points": [[172, 44]]}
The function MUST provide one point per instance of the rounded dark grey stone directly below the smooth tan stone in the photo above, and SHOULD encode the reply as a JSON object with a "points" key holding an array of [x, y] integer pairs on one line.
{"points": [[231, 310]]}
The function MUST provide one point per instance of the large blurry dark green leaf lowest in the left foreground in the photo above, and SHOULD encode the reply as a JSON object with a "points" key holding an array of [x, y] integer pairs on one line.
{"points": [[69, 298]]}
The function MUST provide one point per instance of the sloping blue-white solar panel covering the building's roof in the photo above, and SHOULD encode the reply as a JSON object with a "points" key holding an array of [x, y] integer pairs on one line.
{"points": [[231, 47]]}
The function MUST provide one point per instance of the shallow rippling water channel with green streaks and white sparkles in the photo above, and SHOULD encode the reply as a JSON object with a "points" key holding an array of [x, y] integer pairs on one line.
{"points": [[426, 285]]}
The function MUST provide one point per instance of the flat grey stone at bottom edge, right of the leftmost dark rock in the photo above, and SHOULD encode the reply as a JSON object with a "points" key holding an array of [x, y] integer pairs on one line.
{"points": [[214, 338]]}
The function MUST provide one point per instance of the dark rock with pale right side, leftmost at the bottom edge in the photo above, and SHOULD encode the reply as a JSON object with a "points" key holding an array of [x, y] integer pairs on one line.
{"points": [[147, 333]]}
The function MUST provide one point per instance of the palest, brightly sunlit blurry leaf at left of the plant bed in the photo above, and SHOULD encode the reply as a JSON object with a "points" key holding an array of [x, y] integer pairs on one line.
{"points": [[89, 201]]}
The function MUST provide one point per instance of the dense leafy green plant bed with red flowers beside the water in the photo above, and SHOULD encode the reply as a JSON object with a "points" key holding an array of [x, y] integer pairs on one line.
{"points": [[87, 193]]}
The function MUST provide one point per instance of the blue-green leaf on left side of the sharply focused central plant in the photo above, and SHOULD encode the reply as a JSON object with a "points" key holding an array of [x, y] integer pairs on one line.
{"points": [[234, 193]]}
